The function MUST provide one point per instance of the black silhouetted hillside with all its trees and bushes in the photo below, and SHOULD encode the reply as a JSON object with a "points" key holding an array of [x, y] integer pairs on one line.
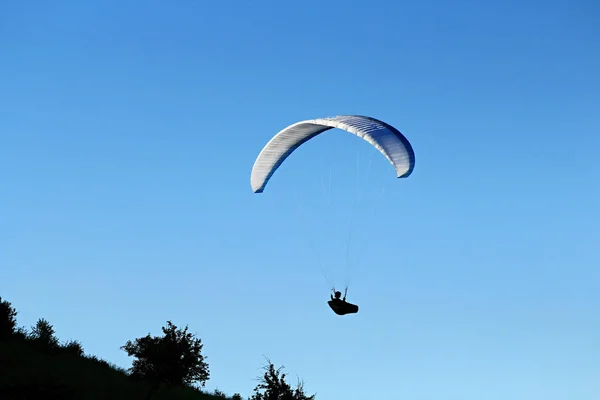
{"points": [[34, 364]]}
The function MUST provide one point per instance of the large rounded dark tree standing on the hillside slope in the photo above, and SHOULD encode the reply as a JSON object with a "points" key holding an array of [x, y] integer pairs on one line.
{"points": [[174, 359]]}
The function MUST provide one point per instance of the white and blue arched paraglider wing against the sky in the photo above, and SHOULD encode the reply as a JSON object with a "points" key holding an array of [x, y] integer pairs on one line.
{"points": [[387, 139]]}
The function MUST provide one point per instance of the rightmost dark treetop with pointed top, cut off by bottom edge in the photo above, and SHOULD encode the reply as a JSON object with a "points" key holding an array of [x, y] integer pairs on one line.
{"points": [[273, 386]]}
